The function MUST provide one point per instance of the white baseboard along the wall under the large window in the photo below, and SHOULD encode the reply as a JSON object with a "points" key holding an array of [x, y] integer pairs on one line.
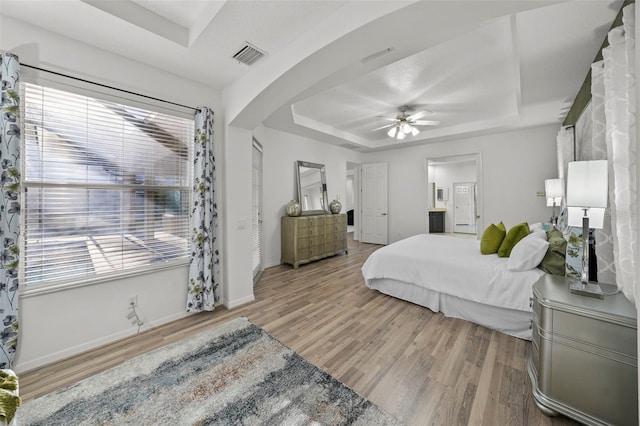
{"points": [[22, 367]]}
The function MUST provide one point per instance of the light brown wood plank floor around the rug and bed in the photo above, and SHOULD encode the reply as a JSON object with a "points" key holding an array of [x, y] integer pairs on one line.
{"points": [[422, 367]]}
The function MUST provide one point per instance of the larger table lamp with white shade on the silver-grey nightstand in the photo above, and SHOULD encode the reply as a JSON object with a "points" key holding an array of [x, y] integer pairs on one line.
{"points": [[587, 193]]}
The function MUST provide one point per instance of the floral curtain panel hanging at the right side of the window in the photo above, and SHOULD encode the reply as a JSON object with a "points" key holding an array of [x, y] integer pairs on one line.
{"points": [[205, 257]]}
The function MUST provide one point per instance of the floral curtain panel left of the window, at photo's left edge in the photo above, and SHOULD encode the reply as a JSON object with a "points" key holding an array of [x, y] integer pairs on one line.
{"points": [[9, 206]]}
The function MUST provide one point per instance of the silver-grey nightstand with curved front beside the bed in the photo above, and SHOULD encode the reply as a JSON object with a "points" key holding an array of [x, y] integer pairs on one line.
{"points": [[583, 361]]}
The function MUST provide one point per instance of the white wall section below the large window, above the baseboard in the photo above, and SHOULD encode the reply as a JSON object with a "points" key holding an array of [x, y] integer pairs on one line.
{"points": [[57, 325]]}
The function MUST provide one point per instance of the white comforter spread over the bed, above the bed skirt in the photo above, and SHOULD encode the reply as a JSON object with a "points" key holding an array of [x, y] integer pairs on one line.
{"points": [[452, 266]]}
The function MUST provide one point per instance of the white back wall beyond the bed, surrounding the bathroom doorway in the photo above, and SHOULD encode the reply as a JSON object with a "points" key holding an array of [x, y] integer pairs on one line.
{"points": [[515, 165]]}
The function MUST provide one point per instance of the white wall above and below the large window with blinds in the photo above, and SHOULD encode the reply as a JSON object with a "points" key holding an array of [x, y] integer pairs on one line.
{"points": [[60, 324]]}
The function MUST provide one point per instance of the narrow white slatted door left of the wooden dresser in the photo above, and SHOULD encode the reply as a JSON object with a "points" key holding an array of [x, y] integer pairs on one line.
{"points": [[256, 211]]}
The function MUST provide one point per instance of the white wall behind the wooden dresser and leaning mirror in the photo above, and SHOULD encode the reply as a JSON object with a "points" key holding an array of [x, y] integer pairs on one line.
{"points": [[280, 152]]}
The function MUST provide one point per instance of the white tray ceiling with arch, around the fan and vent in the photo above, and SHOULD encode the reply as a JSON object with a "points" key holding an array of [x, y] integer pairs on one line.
{"points": [[335, 69]]}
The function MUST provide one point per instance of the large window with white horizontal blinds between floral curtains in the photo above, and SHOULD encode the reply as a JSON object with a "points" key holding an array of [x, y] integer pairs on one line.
{"points": [[107, 186]]}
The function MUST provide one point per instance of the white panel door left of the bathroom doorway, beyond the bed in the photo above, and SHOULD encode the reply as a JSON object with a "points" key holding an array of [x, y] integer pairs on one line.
{"points": [[374, 203]]}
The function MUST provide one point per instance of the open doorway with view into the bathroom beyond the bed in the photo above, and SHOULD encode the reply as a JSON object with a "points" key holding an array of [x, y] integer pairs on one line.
{"points": [[454, 188]]}
